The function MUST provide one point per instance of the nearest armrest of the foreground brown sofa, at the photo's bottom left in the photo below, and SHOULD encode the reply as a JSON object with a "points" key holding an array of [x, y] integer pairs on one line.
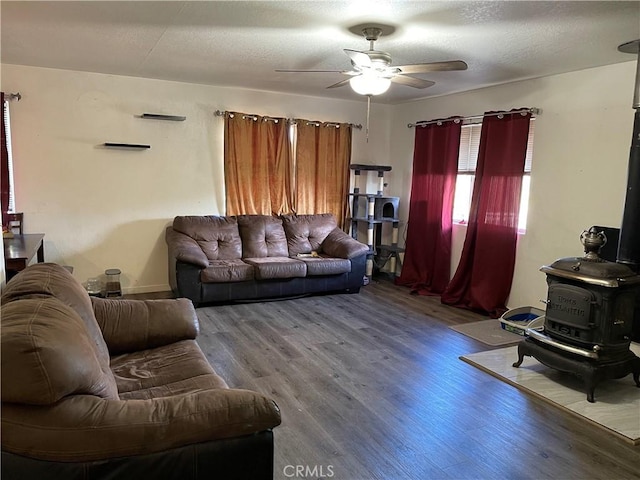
{"points": [[87, 428]]}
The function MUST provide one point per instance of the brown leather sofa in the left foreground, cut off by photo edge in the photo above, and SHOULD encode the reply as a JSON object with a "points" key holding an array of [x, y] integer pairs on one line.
{"points": [[98, 388]]}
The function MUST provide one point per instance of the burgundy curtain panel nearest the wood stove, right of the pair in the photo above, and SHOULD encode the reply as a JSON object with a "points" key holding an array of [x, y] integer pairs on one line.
{"points": [[482, 281]]}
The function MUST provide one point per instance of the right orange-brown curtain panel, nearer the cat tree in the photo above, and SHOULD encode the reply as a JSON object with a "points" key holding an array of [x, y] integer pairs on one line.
{"points": [[323, 154]]}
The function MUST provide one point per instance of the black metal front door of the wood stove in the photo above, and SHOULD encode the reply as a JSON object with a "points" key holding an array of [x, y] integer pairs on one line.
{"points": [[569, 315]]}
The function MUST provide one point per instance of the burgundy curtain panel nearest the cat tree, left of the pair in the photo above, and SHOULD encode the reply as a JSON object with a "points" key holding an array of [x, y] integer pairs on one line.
{"points": [[427, 261]]}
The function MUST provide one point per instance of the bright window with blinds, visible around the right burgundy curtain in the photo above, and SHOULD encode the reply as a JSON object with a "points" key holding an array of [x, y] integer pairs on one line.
{"points": [[467, 161]]}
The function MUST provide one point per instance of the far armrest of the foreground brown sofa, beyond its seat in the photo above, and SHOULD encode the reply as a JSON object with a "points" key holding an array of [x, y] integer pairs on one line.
{"points": [[132, 325]]}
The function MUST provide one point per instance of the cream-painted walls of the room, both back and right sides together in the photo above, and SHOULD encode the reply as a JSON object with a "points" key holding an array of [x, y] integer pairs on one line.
{"points": [[106, 208]]}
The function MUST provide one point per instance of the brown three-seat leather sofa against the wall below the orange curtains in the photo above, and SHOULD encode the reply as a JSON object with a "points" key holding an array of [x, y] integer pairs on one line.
{"points": [[247, 257]]}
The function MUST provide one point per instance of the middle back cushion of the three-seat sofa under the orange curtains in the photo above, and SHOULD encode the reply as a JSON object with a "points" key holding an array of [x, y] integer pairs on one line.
{"points": [[262, 236]]}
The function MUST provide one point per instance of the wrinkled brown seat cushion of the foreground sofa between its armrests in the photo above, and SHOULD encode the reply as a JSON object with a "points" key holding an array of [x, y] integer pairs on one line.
{"points": [[173, 369]]}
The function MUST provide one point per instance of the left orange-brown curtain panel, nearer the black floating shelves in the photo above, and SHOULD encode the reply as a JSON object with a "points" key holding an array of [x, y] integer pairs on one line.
{"points": [[257, 165]]}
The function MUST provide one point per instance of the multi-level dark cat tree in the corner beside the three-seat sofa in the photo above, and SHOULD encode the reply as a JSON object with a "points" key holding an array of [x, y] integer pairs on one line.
{"points": [[375, 210]]}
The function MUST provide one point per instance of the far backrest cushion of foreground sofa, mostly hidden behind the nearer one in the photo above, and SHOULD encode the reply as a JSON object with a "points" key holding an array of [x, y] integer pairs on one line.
{"points": [[45, 280]]}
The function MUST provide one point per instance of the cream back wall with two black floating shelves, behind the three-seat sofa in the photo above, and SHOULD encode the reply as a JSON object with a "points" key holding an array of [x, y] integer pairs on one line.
{"points": [[101, 208]]}
